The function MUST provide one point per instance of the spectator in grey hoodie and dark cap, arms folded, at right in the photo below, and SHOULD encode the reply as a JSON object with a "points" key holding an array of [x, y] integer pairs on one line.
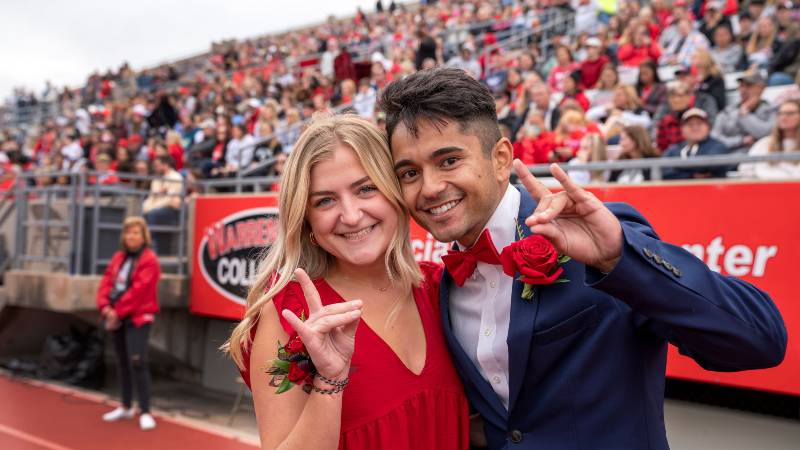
{"points": [[740, 126]]}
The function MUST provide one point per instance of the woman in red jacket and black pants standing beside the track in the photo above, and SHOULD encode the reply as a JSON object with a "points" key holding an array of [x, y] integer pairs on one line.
{"points": [[127, 301]]}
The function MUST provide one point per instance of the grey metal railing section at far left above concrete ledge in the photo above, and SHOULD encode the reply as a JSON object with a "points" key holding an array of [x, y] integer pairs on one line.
{"points": [[76, 224]]}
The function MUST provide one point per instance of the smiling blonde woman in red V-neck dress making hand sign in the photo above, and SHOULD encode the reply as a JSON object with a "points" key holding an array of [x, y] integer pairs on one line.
{"points": [[384, 379]]}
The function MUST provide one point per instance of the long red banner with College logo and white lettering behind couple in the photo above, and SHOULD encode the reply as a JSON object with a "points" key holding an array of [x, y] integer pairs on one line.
{"points": [[739, 229]]}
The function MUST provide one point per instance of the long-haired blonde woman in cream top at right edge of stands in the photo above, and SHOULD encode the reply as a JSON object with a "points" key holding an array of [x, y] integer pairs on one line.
{"points": [[785, 138]]}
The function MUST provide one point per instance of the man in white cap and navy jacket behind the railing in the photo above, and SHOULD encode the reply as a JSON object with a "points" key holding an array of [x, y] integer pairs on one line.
{"points": [[697, 141]]}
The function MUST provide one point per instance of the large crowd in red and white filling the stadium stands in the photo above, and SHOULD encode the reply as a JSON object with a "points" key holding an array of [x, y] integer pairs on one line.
{"points": [[624, 80]]}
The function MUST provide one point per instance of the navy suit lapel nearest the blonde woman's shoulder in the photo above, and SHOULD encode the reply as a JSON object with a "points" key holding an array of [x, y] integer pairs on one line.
{"points": [[464, 364]]}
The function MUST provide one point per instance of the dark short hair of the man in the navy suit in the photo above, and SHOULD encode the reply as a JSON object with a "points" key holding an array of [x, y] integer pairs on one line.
{"points": [[439, 96]]}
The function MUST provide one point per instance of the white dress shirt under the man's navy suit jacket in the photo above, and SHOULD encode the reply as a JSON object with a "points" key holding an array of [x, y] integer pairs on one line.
{"points": [[480, 310]]}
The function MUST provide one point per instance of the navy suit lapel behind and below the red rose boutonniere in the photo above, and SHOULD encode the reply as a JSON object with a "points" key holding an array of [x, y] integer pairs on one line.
{"points": [[523, 315]]}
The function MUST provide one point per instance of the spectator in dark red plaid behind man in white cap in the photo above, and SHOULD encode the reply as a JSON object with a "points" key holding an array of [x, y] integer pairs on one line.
{"points": [[680, 98]]}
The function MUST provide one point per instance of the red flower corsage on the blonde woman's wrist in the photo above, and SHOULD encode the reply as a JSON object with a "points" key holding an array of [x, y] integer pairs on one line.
{"points": [[293, 366]]}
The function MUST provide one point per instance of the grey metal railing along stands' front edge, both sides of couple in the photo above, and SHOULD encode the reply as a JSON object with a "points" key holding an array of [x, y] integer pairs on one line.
{"points": [[77, 225]]}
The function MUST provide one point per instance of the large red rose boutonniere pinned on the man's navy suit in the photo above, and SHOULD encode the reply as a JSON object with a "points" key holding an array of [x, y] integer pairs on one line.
{"points": [[536, 260]]}
